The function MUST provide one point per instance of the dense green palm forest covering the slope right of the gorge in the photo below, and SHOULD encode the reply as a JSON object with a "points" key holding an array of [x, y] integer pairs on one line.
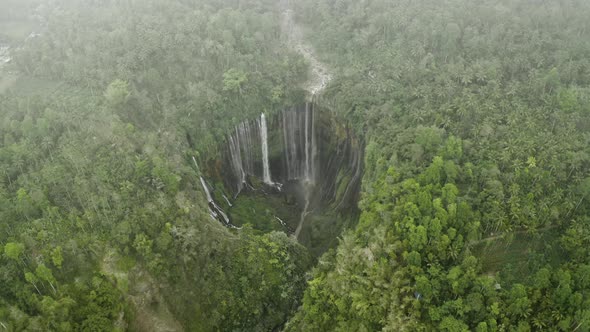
{"points": [[477, 114]]}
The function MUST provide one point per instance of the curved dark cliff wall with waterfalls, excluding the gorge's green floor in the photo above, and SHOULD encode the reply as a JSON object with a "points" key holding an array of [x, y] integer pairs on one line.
{"points": [[310, 157]]}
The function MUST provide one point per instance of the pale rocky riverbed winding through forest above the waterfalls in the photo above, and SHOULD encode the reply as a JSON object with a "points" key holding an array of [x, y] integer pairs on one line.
{"points": [[319, 76]]}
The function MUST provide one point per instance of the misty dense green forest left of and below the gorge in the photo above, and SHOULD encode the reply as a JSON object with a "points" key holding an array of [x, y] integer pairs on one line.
{"points": [[99, 201]]}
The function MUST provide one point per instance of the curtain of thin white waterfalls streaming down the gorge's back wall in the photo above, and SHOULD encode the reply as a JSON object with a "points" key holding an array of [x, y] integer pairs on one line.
{"points": [[251, 154]]}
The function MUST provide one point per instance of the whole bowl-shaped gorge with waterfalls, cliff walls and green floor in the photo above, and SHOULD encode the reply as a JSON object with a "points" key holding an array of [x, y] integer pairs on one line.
{"points": [[297, 170]]}
